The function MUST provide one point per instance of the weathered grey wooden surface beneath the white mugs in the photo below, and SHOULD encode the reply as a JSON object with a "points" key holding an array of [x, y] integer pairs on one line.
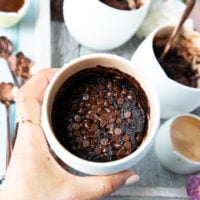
{"points": [[156, 182]]}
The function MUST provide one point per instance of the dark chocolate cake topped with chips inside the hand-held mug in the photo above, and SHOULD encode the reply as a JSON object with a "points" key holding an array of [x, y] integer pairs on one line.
{"points": [[96, 114]]}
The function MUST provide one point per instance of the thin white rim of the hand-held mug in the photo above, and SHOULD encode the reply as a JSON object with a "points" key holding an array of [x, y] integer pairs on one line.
{"points": [[55, 144]]}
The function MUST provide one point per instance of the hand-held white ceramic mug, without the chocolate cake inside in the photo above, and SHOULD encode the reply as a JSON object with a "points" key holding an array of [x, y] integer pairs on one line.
{"points": [[75, 162]]}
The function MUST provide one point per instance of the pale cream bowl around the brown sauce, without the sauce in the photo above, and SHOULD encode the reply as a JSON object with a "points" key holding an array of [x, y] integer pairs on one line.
{"points": [[8, 19]]}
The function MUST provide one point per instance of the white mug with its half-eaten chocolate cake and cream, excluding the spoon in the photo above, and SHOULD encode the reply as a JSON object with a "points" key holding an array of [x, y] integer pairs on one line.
{"points": [[176, 77]]}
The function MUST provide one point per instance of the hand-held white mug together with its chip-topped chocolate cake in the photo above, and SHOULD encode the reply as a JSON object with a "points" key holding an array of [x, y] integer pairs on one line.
{"points": [[99, 115]]}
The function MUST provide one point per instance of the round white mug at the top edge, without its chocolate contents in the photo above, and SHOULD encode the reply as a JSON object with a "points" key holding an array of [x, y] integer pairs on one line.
{"points": [[99, 26]]}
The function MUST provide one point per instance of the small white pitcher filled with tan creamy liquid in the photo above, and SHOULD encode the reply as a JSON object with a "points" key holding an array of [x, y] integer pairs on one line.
{"points": [[169, 149]]}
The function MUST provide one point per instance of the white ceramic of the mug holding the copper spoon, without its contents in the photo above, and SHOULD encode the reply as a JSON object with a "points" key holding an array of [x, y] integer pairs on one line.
{"points": [[175, 98]]}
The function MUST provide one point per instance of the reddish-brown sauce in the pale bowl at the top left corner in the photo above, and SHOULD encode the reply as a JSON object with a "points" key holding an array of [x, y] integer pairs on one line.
{"points": [[11, 5]]}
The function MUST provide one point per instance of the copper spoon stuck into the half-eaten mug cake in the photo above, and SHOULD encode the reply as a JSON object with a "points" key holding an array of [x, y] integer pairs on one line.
{"points": [[189, 6]]}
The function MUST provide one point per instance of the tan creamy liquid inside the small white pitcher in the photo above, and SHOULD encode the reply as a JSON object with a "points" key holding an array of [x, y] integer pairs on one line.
{"points": [[185, 137]]}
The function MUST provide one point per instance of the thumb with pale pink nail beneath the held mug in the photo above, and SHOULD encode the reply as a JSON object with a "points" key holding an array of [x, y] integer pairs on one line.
{"points": [[100, 186]]}
